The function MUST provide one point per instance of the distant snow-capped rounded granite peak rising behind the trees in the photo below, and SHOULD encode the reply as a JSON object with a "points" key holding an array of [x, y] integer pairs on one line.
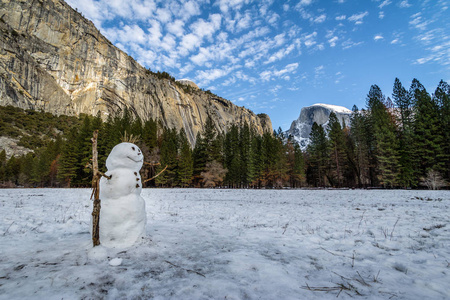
{"points": [[319, 113]]}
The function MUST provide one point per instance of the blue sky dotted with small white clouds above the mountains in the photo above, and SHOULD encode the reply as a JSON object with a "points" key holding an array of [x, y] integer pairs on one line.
{"points": [[276, 57]]}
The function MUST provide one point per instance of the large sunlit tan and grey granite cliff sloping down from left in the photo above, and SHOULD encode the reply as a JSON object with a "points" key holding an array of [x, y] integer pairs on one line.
{"points": [[53, 59]]}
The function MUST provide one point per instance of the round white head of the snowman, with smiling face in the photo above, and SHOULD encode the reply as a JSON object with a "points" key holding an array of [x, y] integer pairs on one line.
{"points": [[125, 155]]}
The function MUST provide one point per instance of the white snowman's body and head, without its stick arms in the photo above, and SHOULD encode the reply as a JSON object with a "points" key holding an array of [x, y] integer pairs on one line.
{"points": [[122, 214]]}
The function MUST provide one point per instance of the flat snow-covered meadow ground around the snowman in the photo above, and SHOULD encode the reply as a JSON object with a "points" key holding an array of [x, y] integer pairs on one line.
{"points": [[231, 244]]}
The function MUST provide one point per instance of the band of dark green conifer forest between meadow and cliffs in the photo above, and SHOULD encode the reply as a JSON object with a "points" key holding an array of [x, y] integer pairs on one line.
{"points": [[398, 142]]}
